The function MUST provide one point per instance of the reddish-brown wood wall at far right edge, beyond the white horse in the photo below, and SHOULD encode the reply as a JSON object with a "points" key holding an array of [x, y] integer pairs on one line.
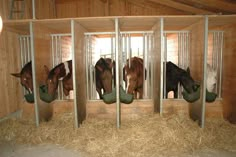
{"points": [[229, 77]]}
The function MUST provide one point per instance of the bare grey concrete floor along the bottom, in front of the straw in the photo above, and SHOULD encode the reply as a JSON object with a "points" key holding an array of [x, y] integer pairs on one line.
{"points": [[47, 150]]}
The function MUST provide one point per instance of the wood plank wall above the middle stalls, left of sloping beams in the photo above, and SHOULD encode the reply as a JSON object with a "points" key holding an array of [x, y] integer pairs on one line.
{"points": [[88, 8]]}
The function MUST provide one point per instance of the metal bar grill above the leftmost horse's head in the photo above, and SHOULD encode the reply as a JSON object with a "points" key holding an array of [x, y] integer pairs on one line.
{"points": [[25, 51]]}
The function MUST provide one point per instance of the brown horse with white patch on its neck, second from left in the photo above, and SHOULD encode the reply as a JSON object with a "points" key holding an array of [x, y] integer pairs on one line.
{"points": [[62, 71]]}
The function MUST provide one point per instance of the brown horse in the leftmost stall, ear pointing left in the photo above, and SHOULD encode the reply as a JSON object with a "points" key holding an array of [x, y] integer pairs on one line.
{"points": [[26, 77]]}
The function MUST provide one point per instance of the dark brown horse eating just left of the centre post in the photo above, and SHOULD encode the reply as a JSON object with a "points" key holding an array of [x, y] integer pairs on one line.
{"points": [[103, 74]]}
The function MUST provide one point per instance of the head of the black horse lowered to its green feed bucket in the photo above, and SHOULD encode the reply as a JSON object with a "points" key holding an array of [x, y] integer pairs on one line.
{"points": [[187, 81]]}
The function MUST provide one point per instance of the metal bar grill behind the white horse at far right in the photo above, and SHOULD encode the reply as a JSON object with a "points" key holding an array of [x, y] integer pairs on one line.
{"points": [[215, 53]]}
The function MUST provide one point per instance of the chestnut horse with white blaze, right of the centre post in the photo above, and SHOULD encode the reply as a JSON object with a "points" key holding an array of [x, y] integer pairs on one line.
{"points": [[133, 76]]}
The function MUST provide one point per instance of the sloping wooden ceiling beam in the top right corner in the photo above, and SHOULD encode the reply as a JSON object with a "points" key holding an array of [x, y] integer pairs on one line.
{"points": [[218, 4]]}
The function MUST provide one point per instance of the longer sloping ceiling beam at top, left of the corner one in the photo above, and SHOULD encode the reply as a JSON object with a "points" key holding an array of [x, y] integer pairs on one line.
{"points": [[183, 7]]}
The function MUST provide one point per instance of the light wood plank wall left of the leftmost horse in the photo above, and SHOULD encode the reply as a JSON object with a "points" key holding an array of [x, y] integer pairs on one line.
{"points": [[11, 92]]}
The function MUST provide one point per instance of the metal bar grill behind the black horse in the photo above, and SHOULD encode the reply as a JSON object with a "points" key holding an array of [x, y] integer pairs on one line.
{"points": [[176, 50]]}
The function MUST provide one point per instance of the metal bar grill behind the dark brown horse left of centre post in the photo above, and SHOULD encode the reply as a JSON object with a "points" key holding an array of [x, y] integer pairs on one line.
{"points": [[94, 47]]}
